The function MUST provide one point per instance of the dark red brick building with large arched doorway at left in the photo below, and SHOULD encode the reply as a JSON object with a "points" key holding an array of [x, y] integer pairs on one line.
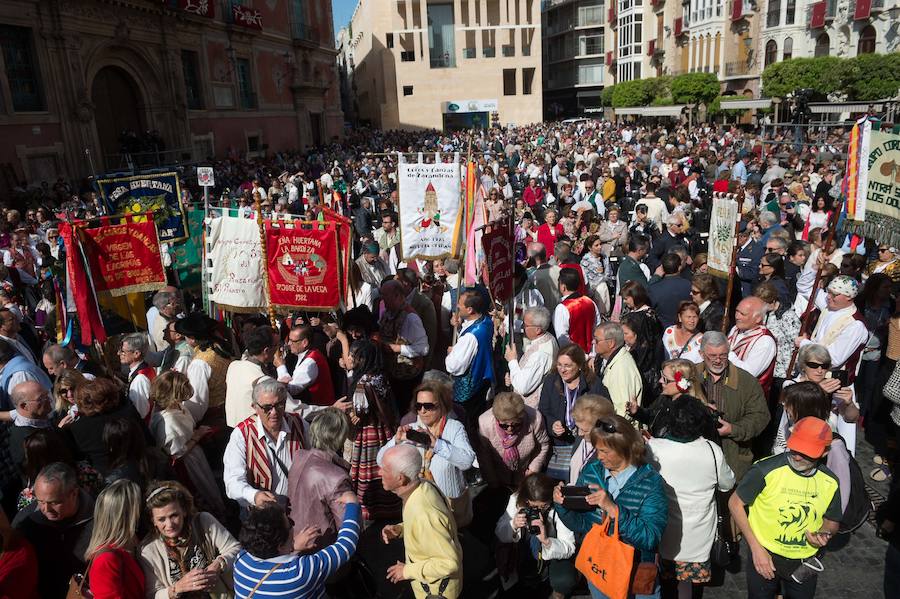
{"points": [[88, 85]]}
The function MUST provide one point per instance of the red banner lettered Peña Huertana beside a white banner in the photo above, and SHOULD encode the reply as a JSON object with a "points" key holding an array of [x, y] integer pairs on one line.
{"points": [[303, 265]]}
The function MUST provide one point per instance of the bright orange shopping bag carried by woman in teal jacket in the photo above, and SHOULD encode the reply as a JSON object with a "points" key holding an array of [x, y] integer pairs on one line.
{"points": [[606, 561]]}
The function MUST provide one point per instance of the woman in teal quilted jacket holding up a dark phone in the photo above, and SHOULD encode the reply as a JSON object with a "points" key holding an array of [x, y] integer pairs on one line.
{"points": [[623, 487]]}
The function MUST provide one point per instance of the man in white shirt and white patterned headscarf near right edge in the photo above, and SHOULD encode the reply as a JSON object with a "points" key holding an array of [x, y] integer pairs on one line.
{"points": [[842, 329]]}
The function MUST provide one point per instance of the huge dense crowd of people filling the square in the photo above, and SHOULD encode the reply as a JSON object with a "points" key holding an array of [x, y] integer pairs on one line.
{"points": [[422, 440]]}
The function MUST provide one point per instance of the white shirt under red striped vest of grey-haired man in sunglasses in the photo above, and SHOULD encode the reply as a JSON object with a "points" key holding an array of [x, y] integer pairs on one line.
{"points": [[237, 486]]}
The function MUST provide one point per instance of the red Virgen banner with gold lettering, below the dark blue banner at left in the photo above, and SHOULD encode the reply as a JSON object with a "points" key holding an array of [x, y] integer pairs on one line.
{"points": [[124, 258]]}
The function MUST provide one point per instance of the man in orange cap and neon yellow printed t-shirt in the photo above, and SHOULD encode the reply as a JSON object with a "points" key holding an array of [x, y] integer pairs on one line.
{"points": [[794, 508]]}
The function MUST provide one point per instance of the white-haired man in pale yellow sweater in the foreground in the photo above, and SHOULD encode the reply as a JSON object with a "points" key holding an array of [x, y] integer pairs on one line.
{"points": [[433, 553]]}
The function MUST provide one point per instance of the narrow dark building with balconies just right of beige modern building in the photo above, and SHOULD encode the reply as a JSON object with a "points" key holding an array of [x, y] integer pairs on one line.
{"points": [[574, 55]]}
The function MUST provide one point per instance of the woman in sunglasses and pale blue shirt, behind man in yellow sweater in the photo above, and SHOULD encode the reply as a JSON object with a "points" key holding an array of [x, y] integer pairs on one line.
{"points": [[443, 443]]}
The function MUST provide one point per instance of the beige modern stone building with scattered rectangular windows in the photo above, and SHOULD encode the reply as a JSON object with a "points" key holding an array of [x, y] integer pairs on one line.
{"points": [[444, 64]]}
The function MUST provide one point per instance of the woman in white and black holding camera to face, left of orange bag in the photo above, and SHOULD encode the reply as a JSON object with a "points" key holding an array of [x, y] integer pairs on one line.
{"points": [[543, 545]]}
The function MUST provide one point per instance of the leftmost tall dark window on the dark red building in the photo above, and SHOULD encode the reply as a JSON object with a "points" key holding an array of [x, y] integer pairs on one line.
{"points": [[22, 69]]}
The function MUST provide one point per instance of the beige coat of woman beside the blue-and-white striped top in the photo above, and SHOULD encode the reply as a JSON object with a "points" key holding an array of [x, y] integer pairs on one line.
{"points": [[155, 563]]}
